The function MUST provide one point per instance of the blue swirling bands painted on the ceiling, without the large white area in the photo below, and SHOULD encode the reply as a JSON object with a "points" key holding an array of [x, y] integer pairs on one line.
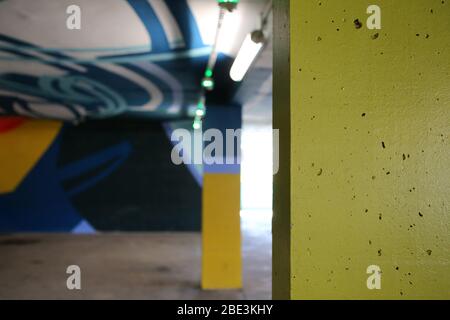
{"points": [[107, 84]]}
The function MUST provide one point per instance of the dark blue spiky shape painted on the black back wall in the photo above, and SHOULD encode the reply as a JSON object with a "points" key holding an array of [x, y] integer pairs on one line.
{"points": [[21, 211]]}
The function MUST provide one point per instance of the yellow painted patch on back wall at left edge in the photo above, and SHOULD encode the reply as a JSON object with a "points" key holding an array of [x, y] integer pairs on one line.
{"points": [[21, 149]]}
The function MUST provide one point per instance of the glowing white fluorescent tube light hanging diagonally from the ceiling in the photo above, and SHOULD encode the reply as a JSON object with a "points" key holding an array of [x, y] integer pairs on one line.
{"points": [[246, 55]]}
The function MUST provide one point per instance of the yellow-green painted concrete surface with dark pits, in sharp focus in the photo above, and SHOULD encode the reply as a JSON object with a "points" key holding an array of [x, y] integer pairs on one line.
{"points": [[370, 149]]}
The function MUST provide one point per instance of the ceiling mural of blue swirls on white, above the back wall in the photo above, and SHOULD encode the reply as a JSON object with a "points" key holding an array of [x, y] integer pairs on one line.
{"points": [[102, 70]]}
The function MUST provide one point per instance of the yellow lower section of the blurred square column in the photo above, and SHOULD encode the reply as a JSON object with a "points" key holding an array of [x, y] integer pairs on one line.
{"points": [[221, 235]]}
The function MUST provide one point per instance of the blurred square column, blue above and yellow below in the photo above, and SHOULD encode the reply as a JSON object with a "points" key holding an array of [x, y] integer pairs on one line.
{"points": [[221, 235]]}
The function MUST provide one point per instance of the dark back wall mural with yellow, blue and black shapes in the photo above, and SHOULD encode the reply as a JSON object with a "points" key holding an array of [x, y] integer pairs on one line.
{"points": [[95, 176]]}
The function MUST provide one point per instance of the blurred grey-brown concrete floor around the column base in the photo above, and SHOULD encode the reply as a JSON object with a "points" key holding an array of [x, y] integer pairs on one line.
{"points": [[126, 265]]}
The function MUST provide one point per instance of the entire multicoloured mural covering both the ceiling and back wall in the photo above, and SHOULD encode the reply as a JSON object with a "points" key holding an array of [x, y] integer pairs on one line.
{"points": [[141, 60]]}
